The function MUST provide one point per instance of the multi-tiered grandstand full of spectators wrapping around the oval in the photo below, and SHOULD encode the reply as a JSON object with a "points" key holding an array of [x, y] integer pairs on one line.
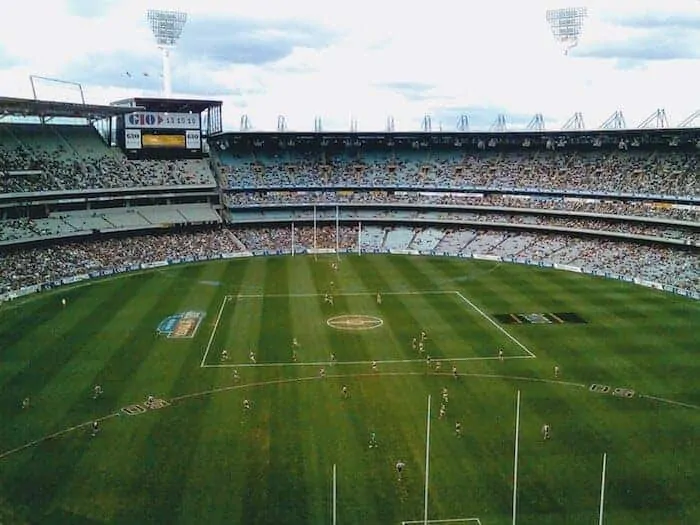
{"points": [[571, 199]]}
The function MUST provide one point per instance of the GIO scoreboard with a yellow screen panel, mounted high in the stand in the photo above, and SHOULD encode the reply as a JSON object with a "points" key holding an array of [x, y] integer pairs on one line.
{"points": [[157, 134]]}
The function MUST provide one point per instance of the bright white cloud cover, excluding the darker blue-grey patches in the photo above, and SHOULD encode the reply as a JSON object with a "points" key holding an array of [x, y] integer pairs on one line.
{"points": [[498, 54]]}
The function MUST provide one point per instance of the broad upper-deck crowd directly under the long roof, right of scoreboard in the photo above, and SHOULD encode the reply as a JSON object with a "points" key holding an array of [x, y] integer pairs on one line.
{"points": [[645, 173]]}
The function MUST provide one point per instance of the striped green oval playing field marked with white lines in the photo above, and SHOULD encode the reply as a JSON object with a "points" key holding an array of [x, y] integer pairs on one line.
{"points": [[203, 458]]}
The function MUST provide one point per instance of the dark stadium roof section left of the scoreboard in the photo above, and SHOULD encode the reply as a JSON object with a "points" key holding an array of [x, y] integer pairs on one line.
{"points": [[27, 107]]}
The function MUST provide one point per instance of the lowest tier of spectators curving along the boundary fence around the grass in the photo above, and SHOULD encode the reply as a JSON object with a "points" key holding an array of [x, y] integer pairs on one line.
{"points": [[19, 268]]}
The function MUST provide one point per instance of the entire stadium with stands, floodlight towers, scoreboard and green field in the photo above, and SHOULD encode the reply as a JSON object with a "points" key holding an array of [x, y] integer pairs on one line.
{"points": [[259, 327]]}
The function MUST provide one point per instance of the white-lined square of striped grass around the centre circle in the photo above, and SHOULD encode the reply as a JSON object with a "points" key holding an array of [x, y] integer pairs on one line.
{"points": [[356, 328]]}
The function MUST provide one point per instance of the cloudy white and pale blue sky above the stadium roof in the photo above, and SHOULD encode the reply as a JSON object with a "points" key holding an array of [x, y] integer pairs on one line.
{"points": [[366, 60]]}
